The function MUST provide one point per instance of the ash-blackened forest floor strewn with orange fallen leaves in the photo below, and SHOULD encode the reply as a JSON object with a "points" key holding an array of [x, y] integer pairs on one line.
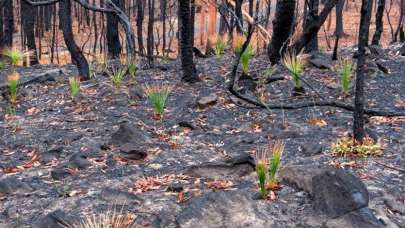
{"points": [[56, 154]]}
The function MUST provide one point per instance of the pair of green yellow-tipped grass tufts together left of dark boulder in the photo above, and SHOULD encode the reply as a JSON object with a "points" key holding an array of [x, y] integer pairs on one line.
{"points": [[267, 167]]}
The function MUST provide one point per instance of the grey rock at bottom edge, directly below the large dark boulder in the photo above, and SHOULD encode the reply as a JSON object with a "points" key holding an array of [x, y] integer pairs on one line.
{"points": [[356, 219]]}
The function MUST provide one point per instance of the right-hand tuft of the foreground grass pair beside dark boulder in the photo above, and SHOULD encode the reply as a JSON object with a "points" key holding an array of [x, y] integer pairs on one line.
{"points": [[275, 163]]}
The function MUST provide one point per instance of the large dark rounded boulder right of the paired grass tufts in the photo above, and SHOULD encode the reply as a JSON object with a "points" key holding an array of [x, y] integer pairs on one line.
{"points": [[337, 192]]}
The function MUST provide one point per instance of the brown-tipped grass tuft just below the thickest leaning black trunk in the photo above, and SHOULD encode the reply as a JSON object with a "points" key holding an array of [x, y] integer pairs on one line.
{"points": [[295, 66]]}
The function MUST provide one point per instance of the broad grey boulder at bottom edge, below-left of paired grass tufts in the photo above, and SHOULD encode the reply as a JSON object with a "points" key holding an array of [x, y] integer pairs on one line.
{"points": [[222, 209]]}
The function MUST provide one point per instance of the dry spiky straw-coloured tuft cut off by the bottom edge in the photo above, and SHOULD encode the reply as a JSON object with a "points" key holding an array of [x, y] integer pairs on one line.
{"points": [[110, 219]]}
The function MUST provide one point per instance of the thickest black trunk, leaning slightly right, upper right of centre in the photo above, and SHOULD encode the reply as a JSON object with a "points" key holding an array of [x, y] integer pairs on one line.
{"points": [[282, 26]]}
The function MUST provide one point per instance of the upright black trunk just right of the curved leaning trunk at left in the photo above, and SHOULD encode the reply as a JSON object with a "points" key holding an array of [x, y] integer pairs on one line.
{"points": [[113, 38]]}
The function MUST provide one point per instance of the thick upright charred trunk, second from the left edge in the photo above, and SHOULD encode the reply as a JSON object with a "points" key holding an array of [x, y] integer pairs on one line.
{"points": [[28, 24]]}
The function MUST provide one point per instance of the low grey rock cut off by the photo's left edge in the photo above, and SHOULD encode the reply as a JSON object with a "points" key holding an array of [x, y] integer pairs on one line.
{"points": [[13, 186]]}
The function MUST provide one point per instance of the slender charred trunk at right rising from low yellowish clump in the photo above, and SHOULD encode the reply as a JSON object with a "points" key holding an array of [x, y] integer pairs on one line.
{"points": [[359, 100]]}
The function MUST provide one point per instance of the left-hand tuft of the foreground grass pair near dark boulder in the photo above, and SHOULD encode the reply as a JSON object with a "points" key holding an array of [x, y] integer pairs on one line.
{"points": [[261, 171]]}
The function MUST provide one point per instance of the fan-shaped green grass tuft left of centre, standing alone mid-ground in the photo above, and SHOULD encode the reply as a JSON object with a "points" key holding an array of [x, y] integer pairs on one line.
{"points": [[157, 95]]}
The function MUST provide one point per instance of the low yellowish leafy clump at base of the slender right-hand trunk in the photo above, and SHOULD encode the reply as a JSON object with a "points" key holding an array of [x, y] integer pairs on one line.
{"points": [[347, 147]]}
